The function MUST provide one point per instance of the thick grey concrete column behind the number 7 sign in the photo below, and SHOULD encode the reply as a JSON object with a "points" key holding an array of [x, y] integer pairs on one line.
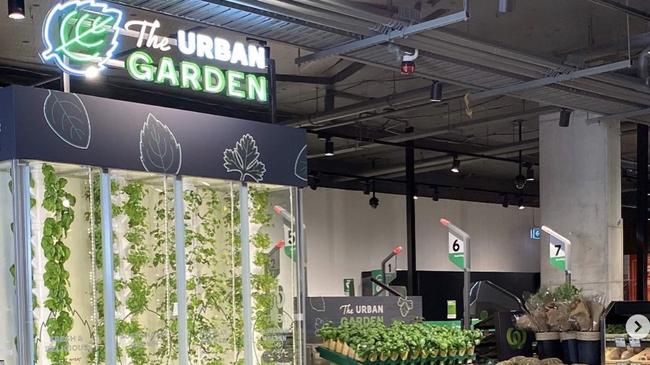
{"points": [[580, 198]]}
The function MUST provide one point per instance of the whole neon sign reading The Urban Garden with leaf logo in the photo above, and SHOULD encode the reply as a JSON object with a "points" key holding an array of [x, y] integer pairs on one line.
{"points": [[81, 37]]}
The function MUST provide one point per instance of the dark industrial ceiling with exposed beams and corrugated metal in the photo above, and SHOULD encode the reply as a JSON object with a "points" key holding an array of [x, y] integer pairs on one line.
{"points": [[534, 40]]}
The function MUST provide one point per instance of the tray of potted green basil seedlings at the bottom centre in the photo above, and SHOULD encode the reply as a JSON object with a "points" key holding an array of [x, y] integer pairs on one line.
{"points": [[398, 344]]}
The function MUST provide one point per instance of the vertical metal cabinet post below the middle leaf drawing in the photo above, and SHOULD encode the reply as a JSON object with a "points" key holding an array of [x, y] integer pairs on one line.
{"points": [[181, 287]]}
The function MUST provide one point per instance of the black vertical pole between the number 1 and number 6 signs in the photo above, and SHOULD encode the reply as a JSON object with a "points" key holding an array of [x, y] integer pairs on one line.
{"points": [[412, 285]]}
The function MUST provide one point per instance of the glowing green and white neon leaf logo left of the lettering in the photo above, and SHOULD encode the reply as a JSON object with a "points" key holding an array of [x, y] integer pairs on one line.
{"points": [[81, 36]]}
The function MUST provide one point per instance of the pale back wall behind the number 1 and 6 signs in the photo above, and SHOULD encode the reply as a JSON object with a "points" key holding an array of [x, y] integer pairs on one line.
{"points": [[346, 236]]}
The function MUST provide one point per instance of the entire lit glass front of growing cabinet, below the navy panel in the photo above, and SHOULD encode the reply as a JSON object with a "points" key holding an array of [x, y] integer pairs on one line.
{"points": [[165, 311]]}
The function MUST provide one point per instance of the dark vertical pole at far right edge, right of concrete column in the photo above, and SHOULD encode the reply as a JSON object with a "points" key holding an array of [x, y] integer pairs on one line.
{"points": [[641, 212]]}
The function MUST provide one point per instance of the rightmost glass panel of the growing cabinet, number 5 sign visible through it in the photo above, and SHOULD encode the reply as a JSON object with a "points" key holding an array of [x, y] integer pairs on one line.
{"points": [[275, 284]]}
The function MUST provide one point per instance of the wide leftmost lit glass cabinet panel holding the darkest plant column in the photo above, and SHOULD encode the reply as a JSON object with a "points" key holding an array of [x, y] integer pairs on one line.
{"points": [[66, 265]]}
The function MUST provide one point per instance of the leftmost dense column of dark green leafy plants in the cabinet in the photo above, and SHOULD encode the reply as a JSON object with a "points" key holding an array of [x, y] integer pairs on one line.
{"points": [[56, 278]]}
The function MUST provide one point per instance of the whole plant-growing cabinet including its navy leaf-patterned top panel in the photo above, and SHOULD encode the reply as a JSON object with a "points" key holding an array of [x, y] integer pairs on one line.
{"points": [[141, 234]]}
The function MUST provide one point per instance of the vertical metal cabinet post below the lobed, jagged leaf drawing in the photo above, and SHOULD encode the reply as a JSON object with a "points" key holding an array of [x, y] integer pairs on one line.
{"points": [[247, 301]]}
